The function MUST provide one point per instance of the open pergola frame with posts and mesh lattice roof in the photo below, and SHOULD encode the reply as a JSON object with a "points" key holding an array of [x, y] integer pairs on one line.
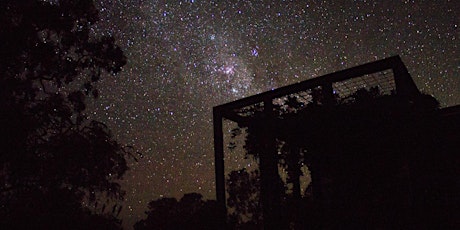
{"points": [[393, 78]]}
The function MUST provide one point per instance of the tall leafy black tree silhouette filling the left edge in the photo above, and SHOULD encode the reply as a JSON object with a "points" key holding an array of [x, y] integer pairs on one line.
{"points": [[52, 158]]}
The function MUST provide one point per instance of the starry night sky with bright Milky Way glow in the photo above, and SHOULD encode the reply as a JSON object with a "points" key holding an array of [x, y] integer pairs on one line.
{"points": [[184, 57]]}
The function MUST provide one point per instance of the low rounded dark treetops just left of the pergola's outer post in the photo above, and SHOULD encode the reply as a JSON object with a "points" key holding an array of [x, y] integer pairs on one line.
{"points": [[190, 212]]}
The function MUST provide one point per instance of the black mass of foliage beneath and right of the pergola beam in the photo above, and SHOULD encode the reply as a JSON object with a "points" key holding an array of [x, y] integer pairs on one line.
{"points": [[377, 161]]}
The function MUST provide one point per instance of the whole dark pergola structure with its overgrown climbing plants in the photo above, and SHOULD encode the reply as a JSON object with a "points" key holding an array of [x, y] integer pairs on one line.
{"points": [[381, 154]]}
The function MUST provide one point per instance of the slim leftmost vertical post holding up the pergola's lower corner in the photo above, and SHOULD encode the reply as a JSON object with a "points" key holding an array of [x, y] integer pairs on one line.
{"points": [[219, 165]]}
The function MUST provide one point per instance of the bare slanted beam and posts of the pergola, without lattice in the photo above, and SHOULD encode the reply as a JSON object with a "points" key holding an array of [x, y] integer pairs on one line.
{"points": [[404, 87]]}
